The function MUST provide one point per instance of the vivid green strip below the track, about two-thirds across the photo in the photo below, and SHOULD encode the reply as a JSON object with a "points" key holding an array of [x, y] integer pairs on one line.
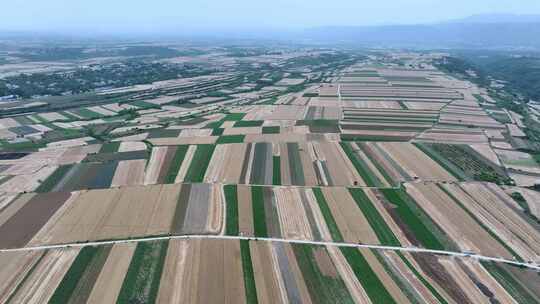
{"points": [[373, 286]]}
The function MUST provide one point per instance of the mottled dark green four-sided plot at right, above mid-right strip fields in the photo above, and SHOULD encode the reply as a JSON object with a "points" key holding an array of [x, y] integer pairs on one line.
{"points": [[465, 163]]}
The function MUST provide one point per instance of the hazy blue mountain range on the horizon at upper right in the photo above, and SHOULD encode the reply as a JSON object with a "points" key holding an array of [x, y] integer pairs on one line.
{"points": [[482, 31]]}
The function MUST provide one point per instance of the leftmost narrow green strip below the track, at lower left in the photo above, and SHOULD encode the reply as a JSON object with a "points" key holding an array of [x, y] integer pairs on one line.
{"points": [[67, 286]]}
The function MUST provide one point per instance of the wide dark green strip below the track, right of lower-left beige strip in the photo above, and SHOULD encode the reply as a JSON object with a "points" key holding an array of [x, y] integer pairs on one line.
{"points": [[141, 283]]}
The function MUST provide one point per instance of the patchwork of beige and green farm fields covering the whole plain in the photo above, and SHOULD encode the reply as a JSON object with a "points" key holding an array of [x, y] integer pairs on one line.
{"points": [[299, 176]]}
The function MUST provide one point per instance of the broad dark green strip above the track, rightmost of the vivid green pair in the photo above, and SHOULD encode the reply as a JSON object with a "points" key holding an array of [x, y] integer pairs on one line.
{"points": [[412, 218]]}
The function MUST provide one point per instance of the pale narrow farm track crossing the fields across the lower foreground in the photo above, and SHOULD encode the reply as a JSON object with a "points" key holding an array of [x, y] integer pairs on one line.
{"points": [[224, 237]]}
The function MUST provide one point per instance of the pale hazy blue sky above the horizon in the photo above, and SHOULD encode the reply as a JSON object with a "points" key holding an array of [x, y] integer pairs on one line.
{"points": [[152, 15]]}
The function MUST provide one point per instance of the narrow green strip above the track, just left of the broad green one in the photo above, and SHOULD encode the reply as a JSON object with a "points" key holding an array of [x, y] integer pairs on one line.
{"points": [[376, 221]]}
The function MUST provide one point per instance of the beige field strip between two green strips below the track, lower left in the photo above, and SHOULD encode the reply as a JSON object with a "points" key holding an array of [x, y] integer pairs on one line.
{"points": [[108, 283]]}
